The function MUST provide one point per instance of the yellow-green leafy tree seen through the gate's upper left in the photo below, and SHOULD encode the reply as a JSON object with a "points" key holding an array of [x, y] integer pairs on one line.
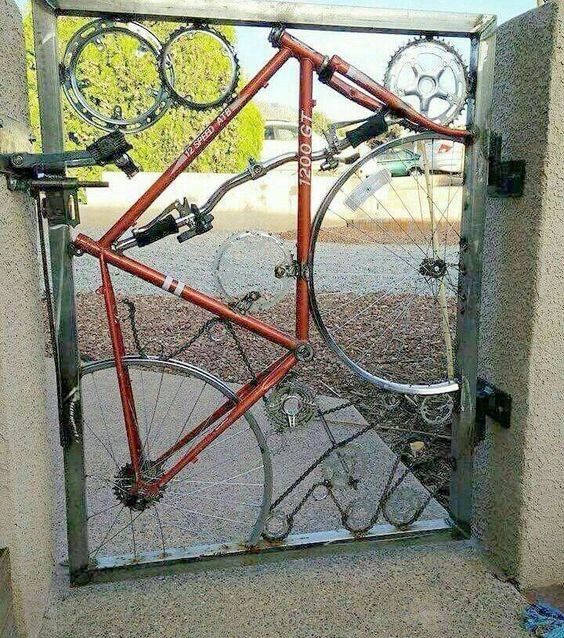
{"points": [[121, 74]]}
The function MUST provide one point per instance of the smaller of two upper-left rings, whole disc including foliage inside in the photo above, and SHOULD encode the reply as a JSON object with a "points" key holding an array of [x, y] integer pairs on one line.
{"points": [[187, 74]]}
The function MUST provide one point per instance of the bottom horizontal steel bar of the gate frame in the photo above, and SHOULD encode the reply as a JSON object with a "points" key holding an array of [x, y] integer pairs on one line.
{"points": [[222, 555]]}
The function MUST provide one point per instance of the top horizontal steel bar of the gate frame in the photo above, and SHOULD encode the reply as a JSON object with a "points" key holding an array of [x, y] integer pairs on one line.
{"points": [[297, 15]]}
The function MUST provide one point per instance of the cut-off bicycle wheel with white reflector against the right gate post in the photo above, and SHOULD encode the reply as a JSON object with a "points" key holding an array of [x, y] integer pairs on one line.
{"points": [[384, 262]]}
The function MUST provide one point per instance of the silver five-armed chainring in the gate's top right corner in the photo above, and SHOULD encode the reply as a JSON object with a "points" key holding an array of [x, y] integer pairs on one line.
{"points": [[431, 77]]}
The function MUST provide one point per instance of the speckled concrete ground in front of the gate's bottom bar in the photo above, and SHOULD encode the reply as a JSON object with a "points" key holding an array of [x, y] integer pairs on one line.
{"points": [[442, 590]]}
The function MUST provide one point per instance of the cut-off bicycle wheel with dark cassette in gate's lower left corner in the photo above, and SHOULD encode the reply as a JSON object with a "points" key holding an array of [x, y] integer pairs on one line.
{"points": [[221, 498]]}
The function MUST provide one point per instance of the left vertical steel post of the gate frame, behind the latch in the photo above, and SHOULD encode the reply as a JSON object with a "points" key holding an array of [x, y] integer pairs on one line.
{"points": [[45, 37]]}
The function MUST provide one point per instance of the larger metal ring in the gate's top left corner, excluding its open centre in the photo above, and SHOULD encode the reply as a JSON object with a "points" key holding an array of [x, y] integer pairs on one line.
{"points": [[91, 33]]}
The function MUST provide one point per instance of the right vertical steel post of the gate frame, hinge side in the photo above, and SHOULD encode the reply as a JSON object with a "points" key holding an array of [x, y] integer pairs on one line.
{"points": [[474, 203]]}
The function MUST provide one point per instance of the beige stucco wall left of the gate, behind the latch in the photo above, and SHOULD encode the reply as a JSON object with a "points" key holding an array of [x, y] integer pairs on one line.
{"points": [[25, 467]]}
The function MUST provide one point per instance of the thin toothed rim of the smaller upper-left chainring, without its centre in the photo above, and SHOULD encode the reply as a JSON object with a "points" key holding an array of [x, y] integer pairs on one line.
{"points": [[166, 67]]}
